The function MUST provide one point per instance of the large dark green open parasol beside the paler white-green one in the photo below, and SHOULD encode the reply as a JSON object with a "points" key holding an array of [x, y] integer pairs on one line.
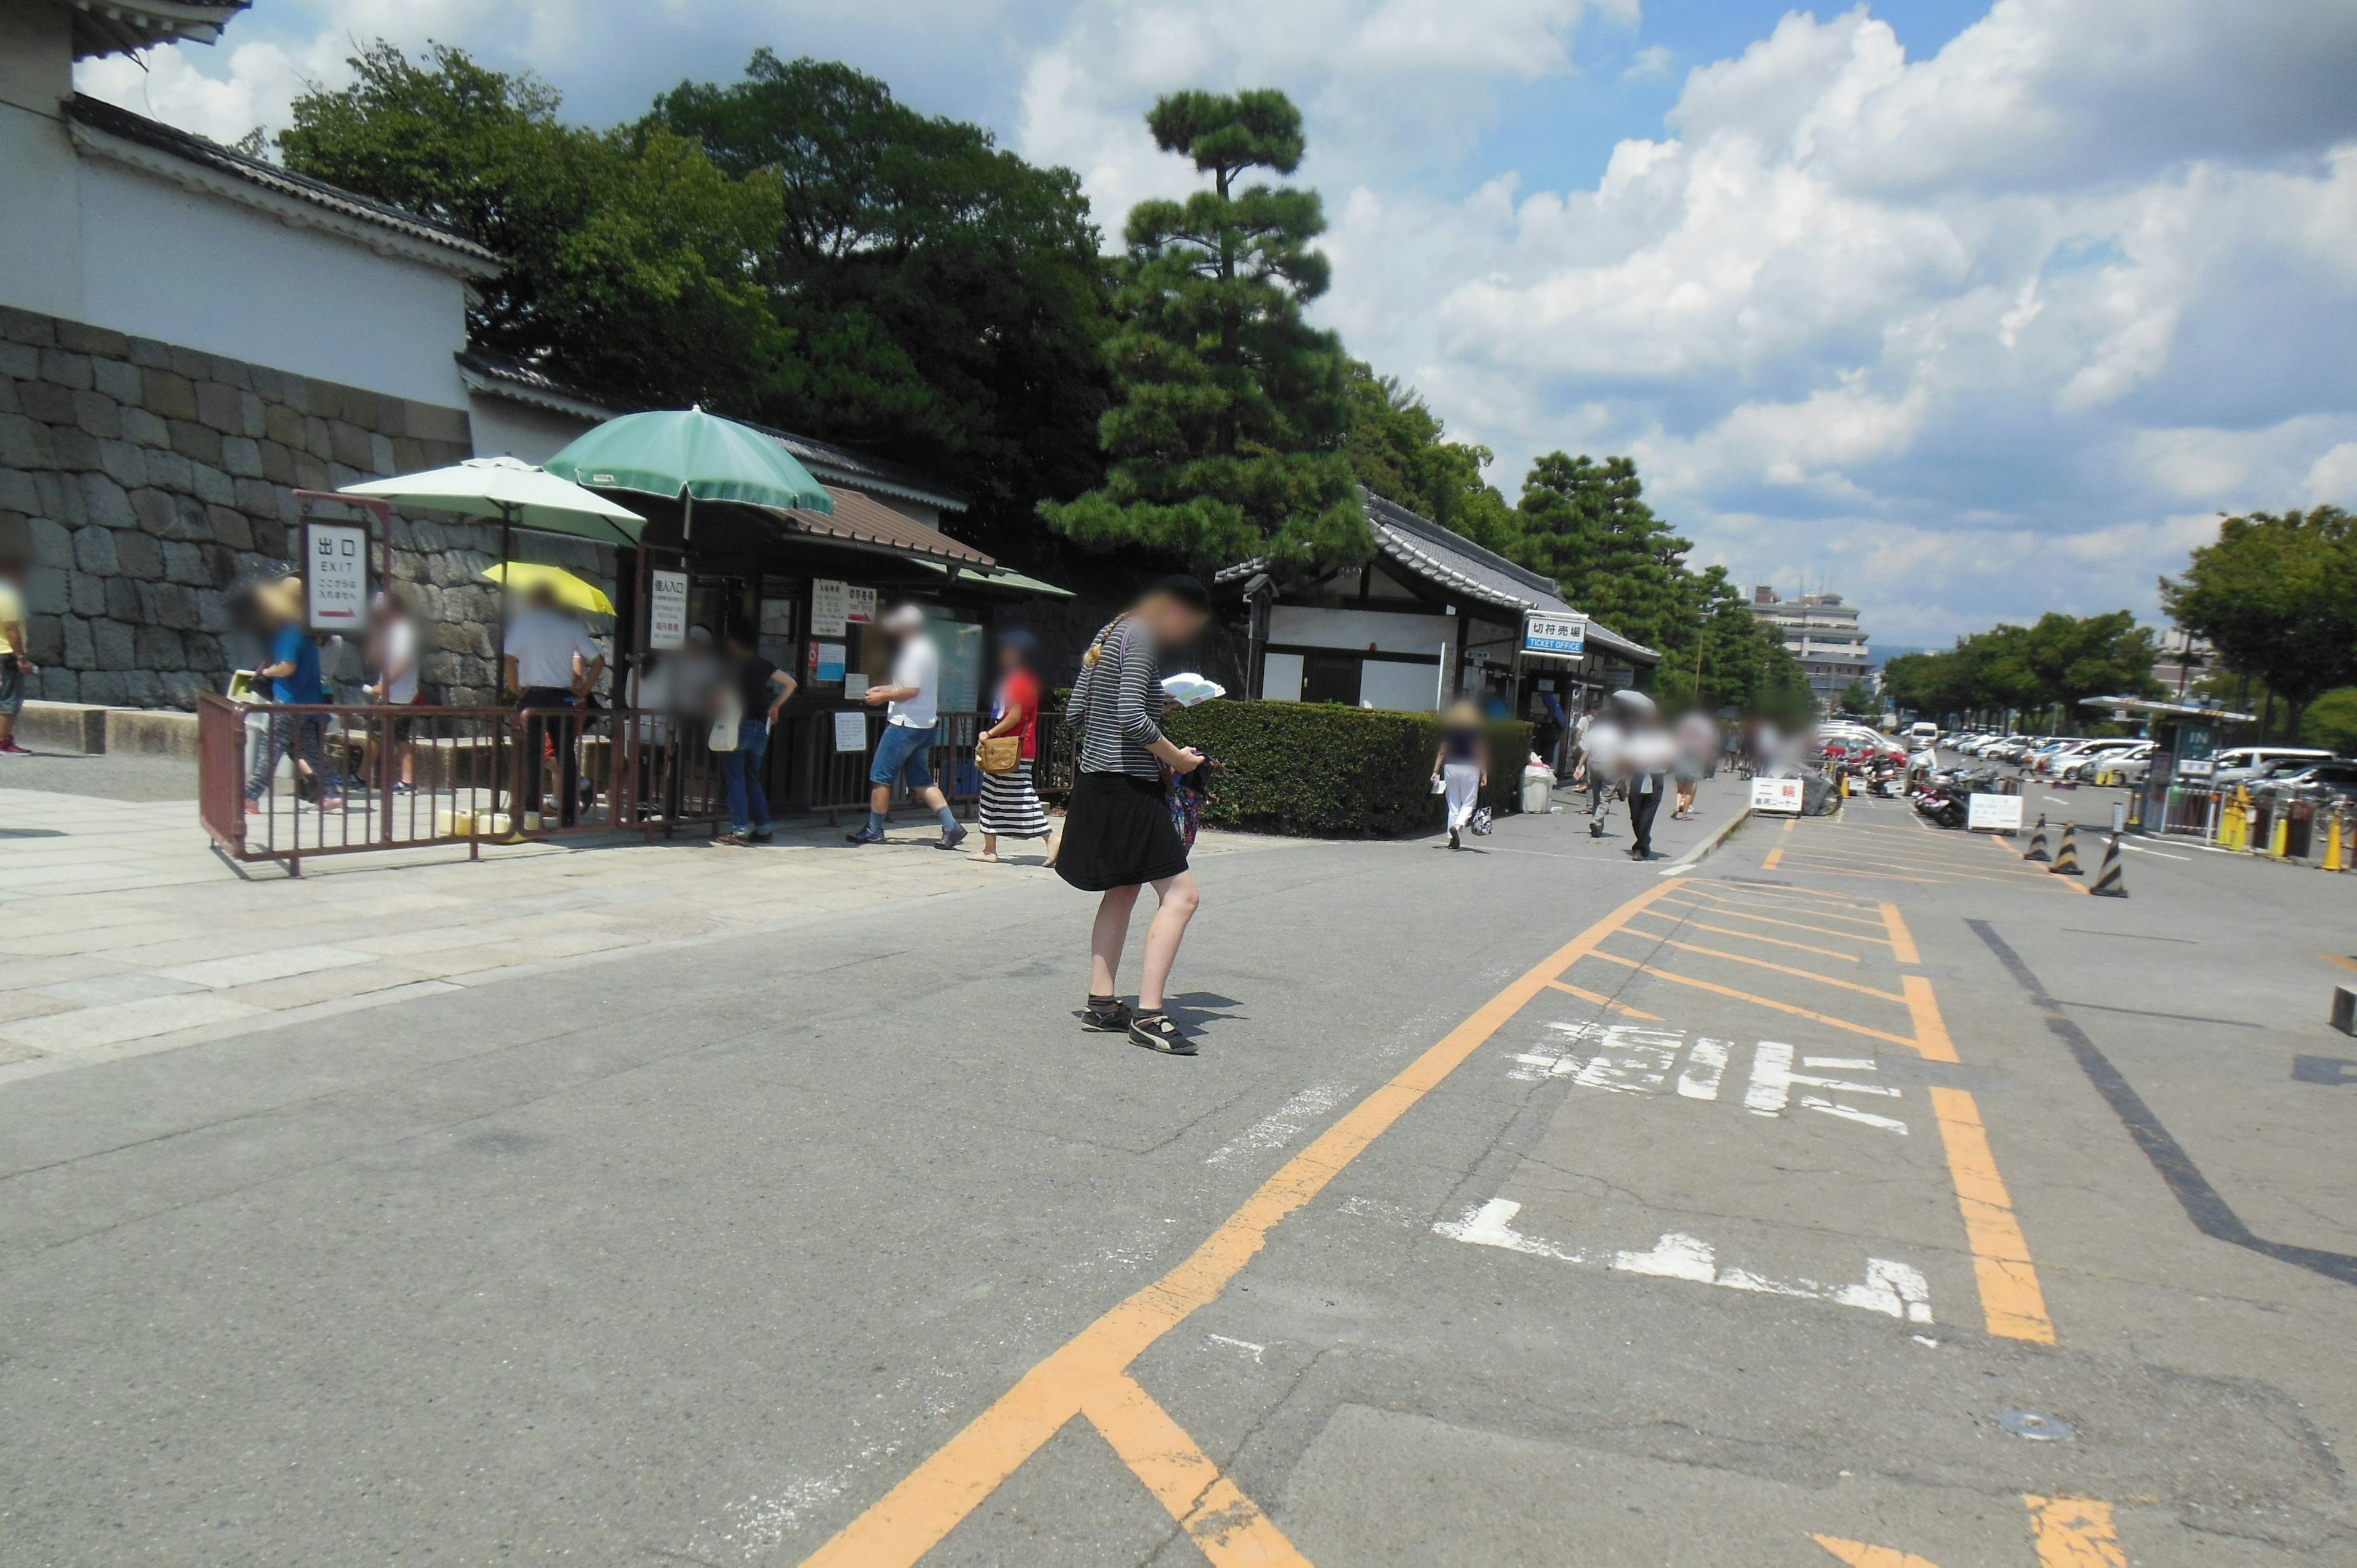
{"points": [[694, 456]]}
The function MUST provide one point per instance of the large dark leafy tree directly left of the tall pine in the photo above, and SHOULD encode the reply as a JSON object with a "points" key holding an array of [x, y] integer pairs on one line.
{"points": [[946, 298]]}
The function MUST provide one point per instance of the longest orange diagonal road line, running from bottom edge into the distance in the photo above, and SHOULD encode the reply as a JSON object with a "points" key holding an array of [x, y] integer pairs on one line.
{"points": [[916, 1515]]}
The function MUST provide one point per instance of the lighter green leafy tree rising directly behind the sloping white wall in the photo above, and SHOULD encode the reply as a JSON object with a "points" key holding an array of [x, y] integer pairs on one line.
{"points": [[633, 261]]}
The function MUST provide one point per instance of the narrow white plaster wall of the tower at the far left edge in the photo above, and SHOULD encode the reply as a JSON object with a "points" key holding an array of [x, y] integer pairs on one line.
{"points": [[41, 268]]}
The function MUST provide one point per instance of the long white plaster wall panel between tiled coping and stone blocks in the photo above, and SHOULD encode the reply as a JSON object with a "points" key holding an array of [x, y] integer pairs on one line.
{"points": [[204, 272]]}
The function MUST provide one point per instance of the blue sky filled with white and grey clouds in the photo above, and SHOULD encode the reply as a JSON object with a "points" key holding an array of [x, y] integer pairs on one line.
{"points": [[1960, 310]]}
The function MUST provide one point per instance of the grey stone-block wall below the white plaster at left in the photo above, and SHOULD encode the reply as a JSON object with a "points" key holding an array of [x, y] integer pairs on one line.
{"points": [[140, 480]]}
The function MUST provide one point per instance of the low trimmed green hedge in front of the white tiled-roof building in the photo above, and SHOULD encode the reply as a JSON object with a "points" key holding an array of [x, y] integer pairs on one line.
{"points": [[1319, 770]]}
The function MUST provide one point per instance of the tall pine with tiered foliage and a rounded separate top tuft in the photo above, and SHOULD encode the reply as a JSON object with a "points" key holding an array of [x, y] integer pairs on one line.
{"points": [[1232, 411]]}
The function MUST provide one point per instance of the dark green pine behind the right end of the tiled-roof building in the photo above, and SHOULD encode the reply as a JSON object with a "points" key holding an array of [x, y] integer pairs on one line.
{"points": [[1590, 529]]}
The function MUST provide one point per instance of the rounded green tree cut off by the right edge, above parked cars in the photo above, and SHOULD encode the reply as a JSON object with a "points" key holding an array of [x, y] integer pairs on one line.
{"points": [[2278, 598]]}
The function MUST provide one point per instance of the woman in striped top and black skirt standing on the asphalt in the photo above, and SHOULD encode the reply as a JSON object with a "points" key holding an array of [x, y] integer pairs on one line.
{"points": [[1118, 834]]}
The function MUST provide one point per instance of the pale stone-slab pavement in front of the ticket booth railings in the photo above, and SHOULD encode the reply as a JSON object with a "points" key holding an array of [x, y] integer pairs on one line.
{"points": [[121, 933]]}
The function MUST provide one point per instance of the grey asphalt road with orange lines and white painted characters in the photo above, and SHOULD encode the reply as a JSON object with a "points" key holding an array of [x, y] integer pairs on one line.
{"points": [[1861, 1197]]}
